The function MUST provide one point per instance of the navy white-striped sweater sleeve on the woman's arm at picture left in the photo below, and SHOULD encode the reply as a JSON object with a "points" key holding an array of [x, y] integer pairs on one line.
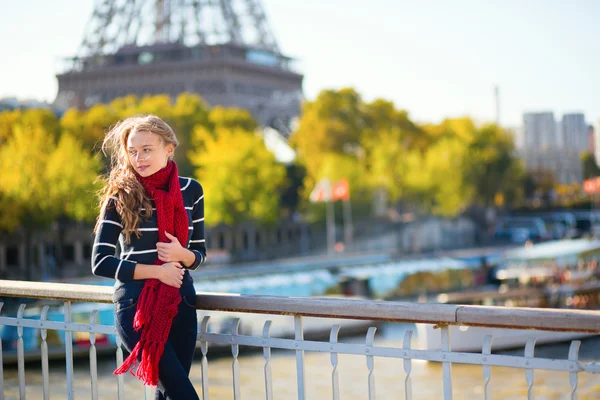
{"points": [[104, 260]]}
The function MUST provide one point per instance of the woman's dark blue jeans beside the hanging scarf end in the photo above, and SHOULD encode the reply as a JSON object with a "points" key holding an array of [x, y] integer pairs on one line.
{"points": [[176, 361]]}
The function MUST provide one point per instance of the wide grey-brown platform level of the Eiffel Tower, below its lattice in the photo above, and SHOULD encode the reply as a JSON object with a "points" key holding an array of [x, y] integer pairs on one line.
{"points": [[226, 75]]}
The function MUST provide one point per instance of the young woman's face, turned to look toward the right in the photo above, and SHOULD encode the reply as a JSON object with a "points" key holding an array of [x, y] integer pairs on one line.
{"points": [[146, 152]]}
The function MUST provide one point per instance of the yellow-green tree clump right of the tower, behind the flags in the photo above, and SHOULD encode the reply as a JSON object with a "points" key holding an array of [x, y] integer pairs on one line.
{"points": [[440, 168]]}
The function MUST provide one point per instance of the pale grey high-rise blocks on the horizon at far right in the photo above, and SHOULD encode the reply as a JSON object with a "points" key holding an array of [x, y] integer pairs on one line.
{"points": [[546, 145]]}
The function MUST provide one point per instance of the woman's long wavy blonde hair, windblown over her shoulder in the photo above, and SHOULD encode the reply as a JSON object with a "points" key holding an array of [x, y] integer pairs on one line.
{"points": [[121, 181]]}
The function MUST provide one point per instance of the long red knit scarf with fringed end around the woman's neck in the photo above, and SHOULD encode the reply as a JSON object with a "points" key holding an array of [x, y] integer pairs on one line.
{"points": [[158, 303]]}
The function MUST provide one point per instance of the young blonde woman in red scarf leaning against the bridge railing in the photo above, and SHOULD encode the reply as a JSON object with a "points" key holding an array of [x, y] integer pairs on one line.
{"points": [[158, 219]]}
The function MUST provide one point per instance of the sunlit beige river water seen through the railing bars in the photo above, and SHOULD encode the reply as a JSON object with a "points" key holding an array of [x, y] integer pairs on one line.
{"points": [[467, 380]]}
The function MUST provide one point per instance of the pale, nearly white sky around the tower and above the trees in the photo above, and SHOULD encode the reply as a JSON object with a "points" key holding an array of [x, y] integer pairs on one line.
{"points": [[435, 59]]}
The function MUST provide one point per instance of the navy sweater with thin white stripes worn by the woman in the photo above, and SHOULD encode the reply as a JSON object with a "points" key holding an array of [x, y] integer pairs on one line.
{"points": [[109, 263]]}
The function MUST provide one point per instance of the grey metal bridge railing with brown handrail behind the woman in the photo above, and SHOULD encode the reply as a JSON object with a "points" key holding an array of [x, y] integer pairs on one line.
{"points": [[442, 315]]}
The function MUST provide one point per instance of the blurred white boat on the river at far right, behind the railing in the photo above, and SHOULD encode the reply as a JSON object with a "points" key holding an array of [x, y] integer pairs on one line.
{"points": [[548, 275]]}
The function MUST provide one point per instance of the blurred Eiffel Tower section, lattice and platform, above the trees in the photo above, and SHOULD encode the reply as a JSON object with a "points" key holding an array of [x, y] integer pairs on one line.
{"points": [[222, 50]]}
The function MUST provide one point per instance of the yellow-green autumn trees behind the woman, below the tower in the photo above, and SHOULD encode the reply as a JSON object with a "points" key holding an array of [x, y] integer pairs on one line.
{"points": [[50, 168]]}
